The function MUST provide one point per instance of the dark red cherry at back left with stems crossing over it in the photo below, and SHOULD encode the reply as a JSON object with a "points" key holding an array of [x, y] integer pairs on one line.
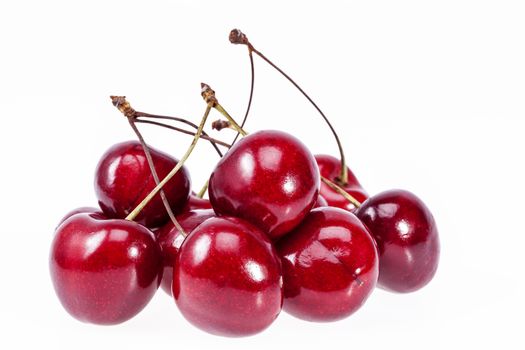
{"points": [[123, 179]]}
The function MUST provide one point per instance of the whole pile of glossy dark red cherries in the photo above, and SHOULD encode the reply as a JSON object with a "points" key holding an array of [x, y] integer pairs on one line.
{"points": [[278, 232]]}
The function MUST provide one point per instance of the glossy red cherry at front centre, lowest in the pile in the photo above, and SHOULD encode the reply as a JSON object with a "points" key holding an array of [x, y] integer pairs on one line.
{"points": [[227, 278]]}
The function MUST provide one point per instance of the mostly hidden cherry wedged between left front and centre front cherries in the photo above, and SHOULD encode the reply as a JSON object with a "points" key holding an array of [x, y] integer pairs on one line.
{"points": [[170, 240]]}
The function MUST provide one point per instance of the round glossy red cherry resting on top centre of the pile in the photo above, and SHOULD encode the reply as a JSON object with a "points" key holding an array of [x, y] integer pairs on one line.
{"points": [[269, 178]]}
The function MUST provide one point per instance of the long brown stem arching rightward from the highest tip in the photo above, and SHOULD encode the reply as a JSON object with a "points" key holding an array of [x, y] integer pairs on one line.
{"points": [[238, 37]]}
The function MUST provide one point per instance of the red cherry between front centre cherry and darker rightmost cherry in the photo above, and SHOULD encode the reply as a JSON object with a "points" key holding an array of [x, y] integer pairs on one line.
{"points": [[330, 266]]}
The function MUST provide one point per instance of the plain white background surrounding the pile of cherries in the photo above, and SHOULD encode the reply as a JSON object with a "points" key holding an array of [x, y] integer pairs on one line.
{"points": [[427, 95]]}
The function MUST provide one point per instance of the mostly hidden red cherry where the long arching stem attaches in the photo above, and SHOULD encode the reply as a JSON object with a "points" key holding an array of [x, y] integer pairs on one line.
{"points": [[330, 167]]}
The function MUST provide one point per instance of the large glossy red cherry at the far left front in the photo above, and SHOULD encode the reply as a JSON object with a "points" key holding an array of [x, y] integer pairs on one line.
{"points": [[104, 271]]}
